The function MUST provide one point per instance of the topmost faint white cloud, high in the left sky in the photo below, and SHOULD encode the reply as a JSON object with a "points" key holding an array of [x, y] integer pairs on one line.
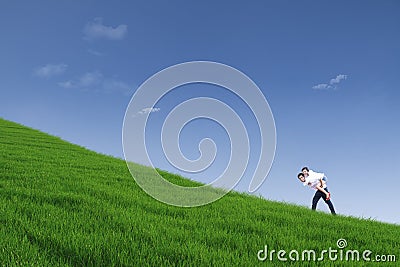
{"points": [[96, 30]]}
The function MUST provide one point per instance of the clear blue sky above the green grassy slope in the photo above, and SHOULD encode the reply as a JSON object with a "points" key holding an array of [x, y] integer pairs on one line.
{"points": [[329, 70]]}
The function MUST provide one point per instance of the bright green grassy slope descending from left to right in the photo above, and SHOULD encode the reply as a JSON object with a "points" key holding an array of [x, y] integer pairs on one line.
{"points": [[61, 204]]}
